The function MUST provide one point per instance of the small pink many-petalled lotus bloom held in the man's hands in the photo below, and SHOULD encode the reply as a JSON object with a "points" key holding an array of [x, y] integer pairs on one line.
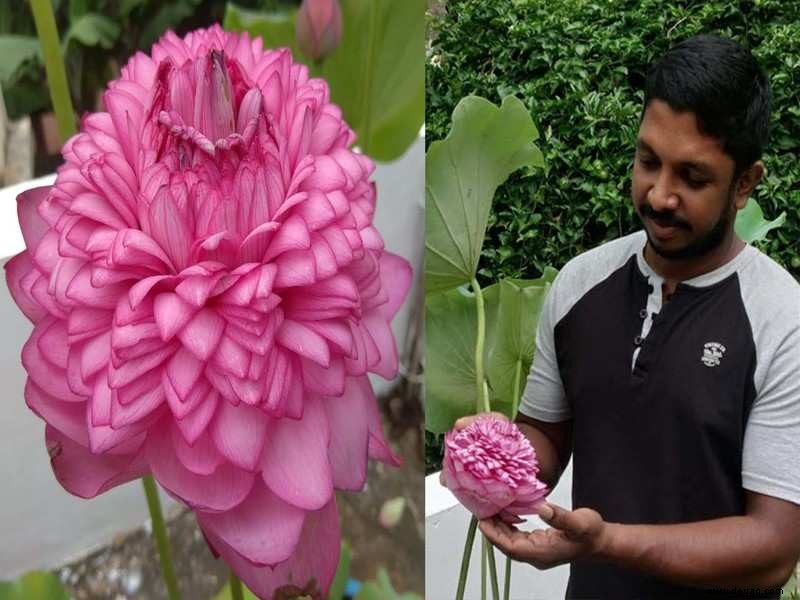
{"points": [[491, 467]]}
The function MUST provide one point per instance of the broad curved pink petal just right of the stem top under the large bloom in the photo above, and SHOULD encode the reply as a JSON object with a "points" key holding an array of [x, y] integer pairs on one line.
{"points": [[222, 490]]}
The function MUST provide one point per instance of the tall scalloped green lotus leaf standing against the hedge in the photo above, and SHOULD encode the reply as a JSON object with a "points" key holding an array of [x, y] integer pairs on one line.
{"points": [[485, 145]]}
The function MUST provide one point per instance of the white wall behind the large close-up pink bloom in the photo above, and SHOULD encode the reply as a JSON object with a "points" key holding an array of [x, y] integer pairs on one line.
{"points": [[41, 525]]}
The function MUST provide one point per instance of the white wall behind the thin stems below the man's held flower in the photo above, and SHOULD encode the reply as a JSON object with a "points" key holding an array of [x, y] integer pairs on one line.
{"points": [[446, 524]]}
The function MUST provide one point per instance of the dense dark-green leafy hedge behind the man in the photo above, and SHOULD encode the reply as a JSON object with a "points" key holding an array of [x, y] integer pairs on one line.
{"points": [[580, 67]]}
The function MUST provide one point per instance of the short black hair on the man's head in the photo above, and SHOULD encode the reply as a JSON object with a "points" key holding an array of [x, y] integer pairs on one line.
{"points": [[721, 82]]}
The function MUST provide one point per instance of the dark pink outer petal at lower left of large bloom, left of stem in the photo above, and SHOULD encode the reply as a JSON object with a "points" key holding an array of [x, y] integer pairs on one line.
{"points": [[86, 475]]}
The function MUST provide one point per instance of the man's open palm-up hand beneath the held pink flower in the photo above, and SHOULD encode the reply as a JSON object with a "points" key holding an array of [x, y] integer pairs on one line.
{"points": [[574, 535]]}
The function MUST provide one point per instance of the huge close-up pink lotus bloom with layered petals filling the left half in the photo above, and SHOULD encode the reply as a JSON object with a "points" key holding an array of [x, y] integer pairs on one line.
{"points": [[209, 294]]}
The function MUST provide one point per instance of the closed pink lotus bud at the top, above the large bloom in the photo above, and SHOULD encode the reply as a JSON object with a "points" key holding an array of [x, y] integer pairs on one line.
{"points": [[318, 28]]}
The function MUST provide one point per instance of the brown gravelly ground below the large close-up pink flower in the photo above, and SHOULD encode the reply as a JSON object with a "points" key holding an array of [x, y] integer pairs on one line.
{"points": [[129, 569]]}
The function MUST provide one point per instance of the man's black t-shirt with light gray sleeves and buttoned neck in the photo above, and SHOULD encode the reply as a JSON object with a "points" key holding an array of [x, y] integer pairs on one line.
{"points": [[677, 407]]}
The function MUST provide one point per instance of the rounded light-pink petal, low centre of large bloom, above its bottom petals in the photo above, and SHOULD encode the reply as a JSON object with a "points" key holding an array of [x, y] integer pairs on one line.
{"points": [[239, 433]]}
